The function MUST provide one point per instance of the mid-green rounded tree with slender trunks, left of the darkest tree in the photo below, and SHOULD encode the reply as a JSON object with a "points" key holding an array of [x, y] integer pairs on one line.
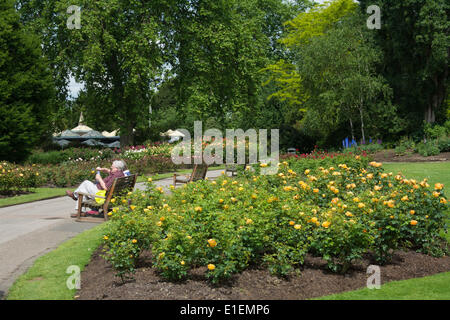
{"points": [[339, 71]]}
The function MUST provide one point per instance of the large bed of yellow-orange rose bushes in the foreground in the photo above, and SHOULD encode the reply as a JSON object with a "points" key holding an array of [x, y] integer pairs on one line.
{"points": [[338, 212]]}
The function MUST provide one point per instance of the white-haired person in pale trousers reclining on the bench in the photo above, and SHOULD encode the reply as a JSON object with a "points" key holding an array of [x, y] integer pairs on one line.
{"points": [[89, 187]]}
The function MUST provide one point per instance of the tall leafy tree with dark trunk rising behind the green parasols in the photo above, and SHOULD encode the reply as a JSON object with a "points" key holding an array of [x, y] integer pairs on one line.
{"points": [[116, 53]]}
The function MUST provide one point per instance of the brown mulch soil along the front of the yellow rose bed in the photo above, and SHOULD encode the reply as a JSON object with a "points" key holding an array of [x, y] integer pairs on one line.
{"points": [[98, 281]]}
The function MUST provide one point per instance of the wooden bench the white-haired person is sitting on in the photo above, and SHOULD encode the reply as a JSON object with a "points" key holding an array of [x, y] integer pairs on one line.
{"points": [[119, 187]]}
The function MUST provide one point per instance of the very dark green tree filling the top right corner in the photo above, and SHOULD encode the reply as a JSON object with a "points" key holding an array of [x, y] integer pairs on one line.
{"points": [[415, 39]]}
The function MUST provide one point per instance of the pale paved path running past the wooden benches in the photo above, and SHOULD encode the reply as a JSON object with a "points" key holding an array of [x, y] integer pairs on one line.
{"points": [[28, 231]]}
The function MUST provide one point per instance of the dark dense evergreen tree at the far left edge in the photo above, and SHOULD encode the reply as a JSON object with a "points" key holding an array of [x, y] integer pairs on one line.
{"points": [[26, 88]]}
